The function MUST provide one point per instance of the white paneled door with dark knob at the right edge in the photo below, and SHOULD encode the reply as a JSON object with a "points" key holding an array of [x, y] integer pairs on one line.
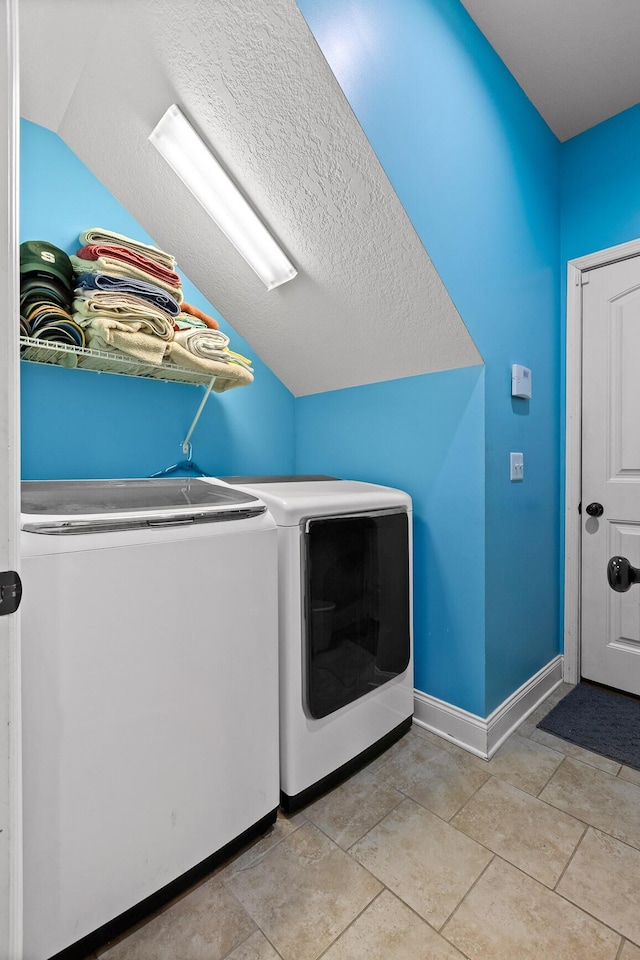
{"points": [[611, 472]]}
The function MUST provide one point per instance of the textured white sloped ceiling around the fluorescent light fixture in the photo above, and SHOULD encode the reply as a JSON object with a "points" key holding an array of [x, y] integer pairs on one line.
{"points": [[367, 304]]}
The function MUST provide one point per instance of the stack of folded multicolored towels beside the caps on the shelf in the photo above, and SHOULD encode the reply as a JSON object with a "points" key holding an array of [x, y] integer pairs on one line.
{"points": [[128, 298]]}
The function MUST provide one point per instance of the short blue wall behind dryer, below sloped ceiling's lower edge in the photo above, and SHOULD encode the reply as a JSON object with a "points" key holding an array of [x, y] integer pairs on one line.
{"points": [[421, 434]]}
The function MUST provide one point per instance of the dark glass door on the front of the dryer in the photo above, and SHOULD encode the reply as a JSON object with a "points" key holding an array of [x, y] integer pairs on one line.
{"points": [[357, 615]]}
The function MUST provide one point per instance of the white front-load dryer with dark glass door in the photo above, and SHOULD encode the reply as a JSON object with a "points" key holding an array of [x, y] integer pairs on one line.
{"points": [[346, 659]]}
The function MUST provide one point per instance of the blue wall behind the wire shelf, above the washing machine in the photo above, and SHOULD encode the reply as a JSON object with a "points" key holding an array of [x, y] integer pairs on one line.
{"points": [[79, 424]]}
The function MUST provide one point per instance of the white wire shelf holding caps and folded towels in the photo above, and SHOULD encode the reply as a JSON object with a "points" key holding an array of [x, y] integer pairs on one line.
{"points": [[102, 361]]}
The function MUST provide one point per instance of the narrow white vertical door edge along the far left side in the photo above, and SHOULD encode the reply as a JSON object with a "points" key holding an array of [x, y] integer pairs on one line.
{"points": [[10, 794]]}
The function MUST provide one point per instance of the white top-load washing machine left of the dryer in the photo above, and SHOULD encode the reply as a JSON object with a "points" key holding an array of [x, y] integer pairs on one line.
{"points": [[150, 696]]}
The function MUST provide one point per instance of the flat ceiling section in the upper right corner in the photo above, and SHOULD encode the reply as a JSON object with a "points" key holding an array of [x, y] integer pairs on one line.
{"points": [[578, 62]]}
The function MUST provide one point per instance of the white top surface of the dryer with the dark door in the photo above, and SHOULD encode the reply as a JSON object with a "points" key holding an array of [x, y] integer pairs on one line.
{"points": [[292, 500]]}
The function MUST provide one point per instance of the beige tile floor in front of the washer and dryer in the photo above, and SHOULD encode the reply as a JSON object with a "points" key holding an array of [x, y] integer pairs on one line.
{"points": [[430, 854]]}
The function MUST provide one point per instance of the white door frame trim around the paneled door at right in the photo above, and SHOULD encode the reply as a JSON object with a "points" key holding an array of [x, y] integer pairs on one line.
{"points": [[573, 447]]}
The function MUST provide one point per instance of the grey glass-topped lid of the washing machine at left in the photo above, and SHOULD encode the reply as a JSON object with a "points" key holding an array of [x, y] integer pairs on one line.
{"points": [[89, 506]]}
